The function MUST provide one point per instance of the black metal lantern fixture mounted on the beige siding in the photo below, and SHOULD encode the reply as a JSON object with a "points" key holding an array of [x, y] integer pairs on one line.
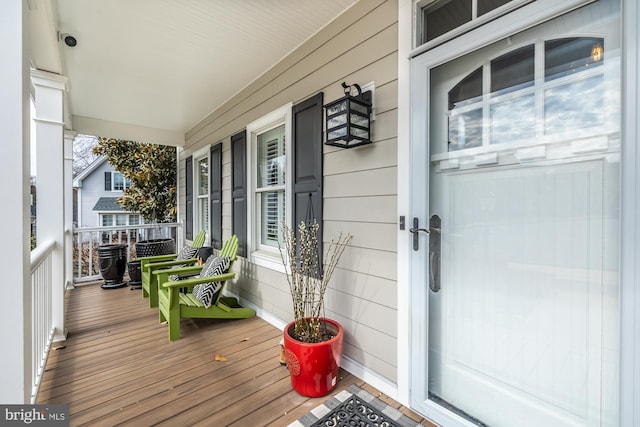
{"points": [[348, 119]]}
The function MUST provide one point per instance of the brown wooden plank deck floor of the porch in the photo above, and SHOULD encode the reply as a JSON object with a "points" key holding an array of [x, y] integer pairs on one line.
{"points": [[118, 367]]}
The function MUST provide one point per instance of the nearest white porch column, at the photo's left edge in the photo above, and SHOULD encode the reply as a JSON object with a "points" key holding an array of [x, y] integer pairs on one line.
{"points": [[15, 315]]}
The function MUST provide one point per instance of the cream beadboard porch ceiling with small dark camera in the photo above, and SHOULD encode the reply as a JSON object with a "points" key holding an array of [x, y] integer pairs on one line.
{"points": [[157, 67]]}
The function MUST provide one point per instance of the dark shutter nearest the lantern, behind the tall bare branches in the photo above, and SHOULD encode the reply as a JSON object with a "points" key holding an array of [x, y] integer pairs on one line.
{"points": [[307, 161]]}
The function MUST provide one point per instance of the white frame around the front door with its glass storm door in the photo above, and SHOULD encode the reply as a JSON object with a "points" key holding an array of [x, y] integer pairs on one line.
{"points": [[412, 127]]}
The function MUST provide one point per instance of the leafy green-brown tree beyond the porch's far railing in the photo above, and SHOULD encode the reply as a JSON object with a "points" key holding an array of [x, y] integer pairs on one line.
{"points": [[152, 171]]}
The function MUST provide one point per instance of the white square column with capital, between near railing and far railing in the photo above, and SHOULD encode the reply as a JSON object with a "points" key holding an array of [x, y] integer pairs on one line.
{"points": [[50, 183]]}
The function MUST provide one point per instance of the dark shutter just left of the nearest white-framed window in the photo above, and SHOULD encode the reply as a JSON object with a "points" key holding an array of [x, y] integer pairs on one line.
{"points": [[239, 190]]}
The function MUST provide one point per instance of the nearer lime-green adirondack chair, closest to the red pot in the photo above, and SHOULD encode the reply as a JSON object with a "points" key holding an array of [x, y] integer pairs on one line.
{"points": [[174, 304]]}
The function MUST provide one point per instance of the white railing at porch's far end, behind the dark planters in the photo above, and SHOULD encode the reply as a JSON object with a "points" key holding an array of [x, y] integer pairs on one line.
{"points": [[86, 241]]}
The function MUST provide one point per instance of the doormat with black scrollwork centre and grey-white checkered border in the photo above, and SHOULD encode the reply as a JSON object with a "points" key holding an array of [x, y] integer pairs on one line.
{"points": [[354, 407]]}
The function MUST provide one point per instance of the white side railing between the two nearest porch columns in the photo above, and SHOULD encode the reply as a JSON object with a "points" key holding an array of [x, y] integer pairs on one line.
{"points": [[41, 311]]}
